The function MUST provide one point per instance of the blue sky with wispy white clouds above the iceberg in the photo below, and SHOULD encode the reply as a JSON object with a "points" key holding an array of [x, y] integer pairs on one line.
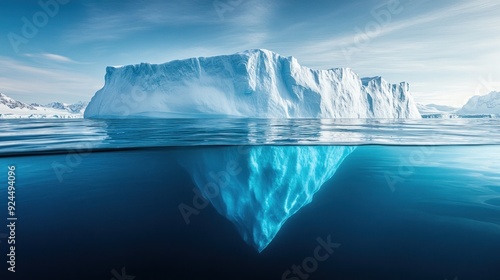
{"points": [[58, 50]]}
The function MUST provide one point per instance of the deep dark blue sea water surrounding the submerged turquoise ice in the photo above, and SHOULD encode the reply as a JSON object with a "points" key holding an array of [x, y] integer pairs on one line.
{"points": [[395, 212]]}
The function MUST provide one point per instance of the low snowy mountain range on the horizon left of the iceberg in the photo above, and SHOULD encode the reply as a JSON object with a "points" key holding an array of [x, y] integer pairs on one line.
{"points": [[13, 109]]}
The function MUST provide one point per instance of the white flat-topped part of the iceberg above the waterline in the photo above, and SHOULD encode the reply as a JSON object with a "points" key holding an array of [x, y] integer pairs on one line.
{"points": [[254, 83]]}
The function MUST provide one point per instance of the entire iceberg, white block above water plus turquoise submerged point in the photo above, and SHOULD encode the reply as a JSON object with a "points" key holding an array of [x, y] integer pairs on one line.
{"points": [[256, 188]]}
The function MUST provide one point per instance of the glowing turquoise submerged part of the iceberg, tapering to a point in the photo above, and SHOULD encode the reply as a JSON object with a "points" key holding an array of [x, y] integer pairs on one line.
{"points": [[258, 188]]}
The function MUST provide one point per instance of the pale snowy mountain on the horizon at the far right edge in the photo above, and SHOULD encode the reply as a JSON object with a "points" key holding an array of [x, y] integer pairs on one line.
{"points": [[486, 104]]}
